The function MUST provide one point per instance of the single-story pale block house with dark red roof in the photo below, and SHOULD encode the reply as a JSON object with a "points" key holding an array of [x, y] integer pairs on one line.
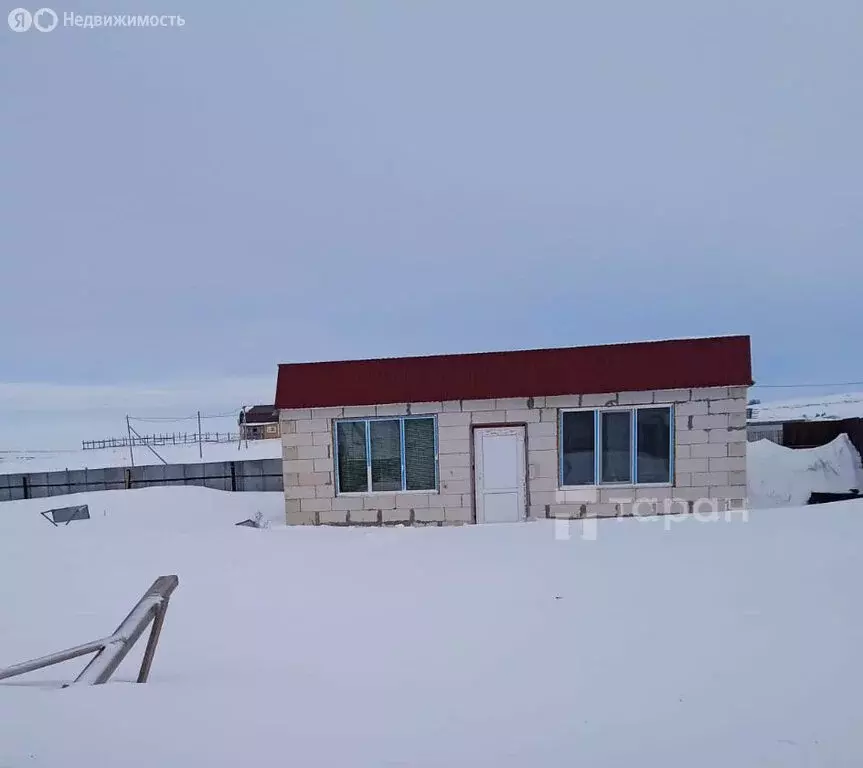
{"points": [[599, 431]]}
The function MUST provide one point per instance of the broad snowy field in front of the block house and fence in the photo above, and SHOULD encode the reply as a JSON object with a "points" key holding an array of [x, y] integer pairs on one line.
{"points": [[666, 642]]}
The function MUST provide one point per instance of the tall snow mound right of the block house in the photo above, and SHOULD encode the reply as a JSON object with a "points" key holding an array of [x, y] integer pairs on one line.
{"points": [[780, 476]]}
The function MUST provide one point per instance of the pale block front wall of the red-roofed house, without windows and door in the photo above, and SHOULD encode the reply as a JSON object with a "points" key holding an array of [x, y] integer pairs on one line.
{"points": [[710, 459]]}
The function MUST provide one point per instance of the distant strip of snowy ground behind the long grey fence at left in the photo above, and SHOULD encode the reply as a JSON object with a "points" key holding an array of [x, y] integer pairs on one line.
{"points": [[13, 462]]}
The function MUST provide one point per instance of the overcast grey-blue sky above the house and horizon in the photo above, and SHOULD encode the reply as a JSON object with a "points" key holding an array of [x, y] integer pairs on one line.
{"points": [[316, 179]]}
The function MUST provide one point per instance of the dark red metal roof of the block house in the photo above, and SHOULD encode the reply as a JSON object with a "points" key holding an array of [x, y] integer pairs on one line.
{"points": [[674, 364]]}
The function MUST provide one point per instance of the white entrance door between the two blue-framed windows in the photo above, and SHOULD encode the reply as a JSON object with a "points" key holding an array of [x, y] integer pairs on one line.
{"points": [[499, 474]]}
